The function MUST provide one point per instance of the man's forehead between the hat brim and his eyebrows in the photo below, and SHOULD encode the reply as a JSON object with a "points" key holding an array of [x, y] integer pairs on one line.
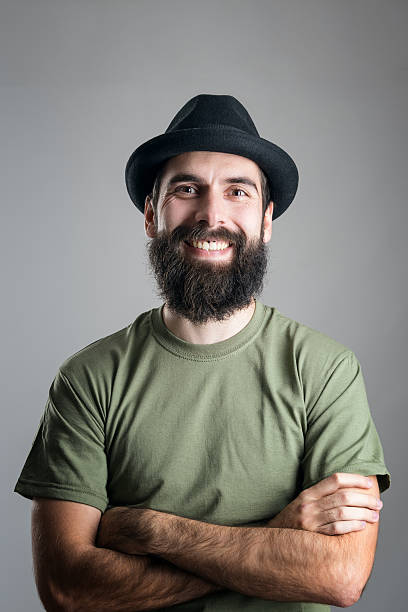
{"points": [[212, 164]]}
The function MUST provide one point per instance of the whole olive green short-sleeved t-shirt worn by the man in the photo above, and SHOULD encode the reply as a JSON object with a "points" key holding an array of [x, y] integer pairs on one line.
{"points": [[227, 433]]}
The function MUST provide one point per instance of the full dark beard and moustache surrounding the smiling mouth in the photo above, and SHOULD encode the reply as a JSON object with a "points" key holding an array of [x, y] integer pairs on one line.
{"points": [[202, 290]]}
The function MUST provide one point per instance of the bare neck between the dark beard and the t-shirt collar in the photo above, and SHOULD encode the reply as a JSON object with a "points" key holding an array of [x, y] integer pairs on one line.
{"points": [[210, 332]]}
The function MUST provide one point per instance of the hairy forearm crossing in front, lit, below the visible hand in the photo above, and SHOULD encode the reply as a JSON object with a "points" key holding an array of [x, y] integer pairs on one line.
{"points": [[270, 563]]}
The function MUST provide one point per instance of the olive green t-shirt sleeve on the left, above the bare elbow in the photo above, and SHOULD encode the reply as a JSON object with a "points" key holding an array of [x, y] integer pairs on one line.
{"points": [[67, 459]]}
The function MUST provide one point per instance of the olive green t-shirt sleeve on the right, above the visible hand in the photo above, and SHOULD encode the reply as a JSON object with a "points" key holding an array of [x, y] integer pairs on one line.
{"points": [[341, 435]]}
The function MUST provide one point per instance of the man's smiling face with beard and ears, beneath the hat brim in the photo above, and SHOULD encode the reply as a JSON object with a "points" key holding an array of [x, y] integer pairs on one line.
{"points": [[208, 247]]}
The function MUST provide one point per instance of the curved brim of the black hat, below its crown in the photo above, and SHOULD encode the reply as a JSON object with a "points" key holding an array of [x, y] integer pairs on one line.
{"points": [[279, 167]]}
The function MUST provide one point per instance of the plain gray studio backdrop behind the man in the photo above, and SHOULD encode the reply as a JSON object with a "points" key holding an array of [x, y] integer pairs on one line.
{"points": [[84, 82]]}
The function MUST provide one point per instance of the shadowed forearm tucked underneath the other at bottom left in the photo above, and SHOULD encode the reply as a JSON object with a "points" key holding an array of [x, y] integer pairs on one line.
{"points": [[103, 580]]}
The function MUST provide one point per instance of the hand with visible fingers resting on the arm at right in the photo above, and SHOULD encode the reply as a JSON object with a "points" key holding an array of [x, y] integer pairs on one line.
{"points": [[330, 506]]}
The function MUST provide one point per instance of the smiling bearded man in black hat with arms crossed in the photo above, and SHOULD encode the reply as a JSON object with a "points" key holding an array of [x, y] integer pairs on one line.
{"points": [[226, 446]]}
